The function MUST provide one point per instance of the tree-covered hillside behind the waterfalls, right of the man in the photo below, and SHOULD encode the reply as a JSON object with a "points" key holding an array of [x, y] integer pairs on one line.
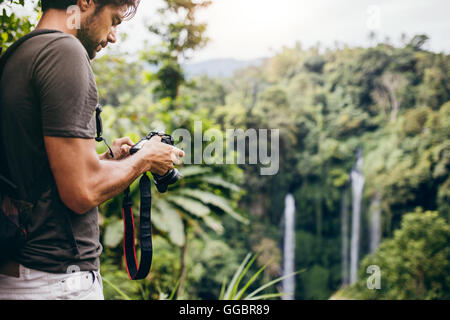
{"points": [[392, 102]]}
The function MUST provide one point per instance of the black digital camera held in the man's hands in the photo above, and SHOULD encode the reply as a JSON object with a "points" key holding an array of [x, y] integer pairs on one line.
{"points": [[172, 176]]}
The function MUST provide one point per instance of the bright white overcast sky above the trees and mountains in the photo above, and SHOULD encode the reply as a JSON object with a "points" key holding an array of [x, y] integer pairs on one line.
{"points": [[249, 29]]}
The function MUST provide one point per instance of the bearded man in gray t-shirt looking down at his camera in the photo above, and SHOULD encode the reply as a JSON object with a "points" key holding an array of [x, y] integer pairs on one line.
{"points": [[49, 96]]}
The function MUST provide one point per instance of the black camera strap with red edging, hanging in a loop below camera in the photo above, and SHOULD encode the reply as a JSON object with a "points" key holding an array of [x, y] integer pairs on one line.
{"points": [[145, 233]]}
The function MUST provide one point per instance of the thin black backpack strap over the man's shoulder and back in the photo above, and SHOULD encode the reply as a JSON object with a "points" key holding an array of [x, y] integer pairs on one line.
{"points": [[7, 186]]}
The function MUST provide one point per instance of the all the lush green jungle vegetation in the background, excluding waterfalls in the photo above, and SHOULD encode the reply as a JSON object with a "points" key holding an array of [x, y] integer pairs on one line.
{"points": [[393, 102]]}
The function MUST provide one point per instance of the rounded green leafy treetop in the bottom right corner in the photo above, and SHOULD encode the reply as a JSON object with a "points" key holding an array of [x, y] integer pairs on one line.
{"points": [[414, 264]]}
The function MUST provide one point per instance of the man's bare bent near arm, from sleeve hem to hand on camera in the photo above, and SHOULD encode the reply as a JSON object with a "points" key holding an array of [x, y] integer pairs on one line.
{"points": [[84, 181]]}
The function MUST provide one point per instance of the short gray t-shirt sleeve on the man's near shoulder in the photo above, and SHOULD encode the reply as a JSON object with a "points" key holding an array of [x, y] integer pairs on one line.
{"points": [[65, 83]]}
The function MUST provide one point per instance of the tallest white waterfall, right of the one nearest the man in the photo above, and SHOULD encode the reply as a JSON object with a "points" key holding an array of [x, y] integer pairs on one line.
{"points": [[357, 179]]}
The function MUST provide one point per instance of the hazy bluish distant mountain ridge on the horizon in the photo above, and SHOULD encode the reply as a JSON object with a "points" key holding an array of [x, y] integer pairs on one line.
{"points": [[219, 68]]}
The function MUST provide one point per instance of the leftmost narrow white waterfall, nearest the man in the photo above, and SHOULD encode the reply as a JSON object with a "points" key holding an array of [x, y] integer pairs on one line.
{"points": [[288, 284]]}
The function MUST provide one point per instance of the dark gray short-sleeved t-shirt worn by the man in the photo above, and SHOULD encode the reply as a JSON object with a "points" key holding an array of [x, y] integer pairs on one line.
{"points": [[48, 89]]}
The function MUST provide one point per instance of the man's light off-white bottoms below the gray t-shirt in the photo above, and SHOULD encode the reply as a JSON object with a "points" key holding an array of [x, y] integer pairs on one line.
{"points": [[39, 285]]}
